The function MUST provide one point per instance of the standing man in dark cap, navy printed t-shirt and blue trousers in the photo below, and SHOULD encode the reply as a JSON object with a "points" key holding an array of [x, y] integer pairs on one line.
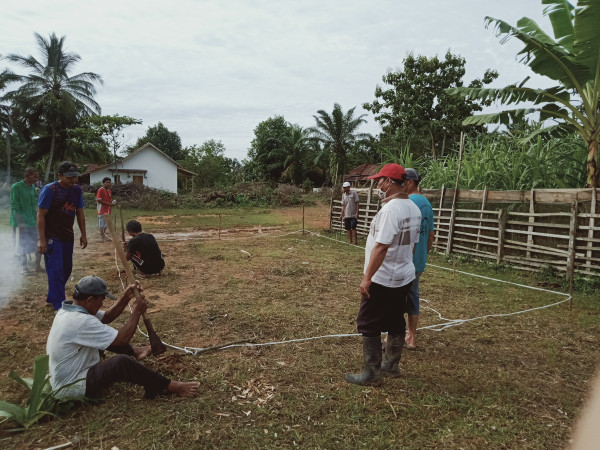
{"points": [[58, 205]]}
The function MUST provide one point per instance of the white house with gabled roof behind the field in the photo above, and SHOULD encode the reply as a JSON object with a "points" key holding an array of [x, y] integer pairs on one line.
{"points": [[147, 166]]}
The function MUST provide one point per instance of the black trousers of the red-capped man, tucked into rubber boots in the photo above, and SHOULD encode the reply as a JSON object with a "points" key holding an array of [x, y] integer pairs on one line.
{"points": [[384, 311]]}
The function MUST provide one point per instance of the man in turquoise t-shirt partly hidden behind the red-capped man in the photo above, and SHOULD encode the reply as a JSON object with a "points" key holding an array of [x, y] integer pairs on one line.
{"points": [[422, 248]]}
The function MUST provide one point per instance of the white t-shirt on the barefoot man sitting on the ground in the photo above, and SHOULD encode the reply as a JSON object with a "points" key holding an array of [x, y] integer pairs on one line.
{"points": [[73, 344]]}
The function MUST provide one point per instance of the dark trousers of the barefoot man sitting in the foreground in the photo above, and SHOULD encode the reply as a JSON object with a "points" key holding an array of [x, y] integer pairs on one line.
{"points": [[124, 368]]}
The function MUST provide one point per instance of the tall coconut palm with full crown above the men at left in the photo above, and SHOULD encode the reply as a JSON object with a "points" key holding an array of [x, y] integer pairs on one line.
{"points": [[49, 94]]}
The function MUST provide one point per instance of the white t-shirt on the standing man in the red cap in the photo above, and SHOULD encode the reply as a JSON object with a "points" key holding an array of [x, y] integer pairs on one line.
{"points": [[397, 223]]}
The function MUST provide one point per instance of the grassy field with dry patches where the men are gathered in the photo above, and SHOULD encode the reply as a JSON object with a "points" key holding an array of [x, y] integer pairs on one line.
{"points": [[501, 382]]}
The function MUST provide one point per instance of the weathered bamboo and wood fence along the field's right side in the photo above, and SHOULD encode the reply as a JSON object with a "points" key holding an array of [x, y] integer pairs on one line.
{"points": [[558, 228]]}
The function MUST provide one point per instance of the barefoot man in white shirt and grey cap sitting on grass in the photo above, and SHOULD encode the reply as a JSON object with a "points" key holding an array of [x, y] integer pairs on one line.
{"points": [[80, 331]]}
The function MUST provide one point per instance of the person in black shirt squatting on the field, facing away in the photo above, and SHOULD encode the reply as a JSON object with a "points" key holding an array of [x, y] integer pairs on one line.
{"points": [[143, 250]]}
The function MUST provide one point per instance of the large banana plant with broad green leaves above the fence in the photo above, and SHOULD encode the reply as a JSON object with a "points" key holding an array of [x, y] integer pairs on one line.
{"points": [[571, 59]]}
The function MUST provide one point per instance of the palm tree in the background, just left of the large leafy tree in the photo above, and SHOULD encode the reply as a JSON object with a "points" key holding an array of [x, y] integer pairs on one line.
{"points": [[339, 134]]}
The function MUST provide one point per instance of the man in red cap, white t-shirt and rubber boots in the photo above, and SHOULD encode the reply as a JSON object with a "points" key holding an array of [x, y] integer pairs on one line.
{"points": [[388, 272]]}
